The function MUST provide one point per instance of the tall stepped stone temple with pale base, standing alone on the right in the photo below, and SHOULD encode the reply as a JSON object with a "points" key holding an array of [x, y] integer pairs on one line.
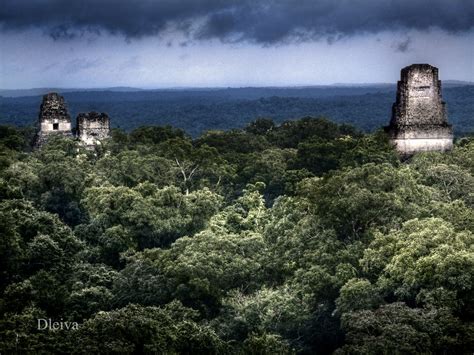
{"points": [[419, 121]]}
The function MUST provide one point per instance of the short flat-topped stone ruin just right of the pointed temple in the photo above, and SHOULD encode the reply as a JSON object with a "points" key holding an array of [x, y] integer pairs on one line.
{"points": [[92, 127]]}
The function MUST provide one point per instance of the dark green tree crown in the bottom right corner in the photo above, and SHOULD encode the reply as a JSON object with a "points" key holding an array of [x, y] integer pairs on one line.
{"points": [[398, 329]]}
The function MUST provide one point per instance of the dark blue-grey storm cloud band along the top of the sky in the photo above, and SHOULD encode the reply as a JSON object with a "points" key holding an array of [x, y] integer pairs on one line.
{"points": [[267, 22]]}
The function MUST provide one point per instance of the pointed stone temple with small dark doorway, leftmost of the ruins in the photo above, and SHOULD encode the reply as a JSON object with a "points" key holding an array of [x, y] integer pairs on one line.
{"points": [[53, 118]]}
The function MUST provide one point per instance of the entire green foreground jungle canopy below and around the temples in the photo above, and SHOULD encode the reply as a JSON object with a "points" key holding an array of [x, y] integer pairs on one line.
{"points": [[305, 237]]}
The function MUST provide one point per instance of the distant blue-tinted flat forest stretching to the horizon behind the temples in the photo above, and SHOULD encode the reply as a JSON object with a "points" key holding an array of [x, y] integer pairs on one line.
{"points": [[367, 107]]}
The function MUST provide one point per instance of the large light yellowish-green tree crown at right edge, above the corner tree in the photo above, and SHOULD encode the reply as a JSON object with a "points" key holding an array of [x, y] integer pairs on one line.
{"points": [[425, 262]]}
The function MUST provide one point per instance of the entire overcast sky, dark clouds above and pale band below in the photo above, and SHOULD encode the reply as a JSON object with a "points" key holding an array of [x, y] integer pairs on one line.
{"points": [[209, 43]]}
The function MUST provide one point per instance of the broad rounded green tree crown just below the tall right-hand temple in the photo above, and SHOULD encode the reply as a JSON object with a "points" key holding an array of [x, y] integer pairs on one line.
{"points": [[373, 195]]}
